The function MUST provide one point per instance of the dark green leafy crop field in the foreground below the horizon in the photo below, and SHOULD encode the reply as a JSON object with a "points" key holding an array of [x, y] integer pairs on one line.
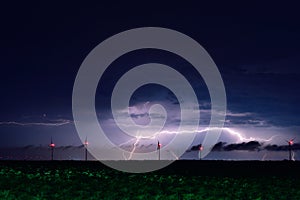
{"points": [[79, 180]]}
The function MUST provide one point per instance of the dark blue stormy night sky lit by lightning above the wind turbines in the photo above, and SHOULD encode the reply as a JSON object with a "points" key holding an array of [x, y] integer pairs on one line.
{"points": [[255, 47]]}
